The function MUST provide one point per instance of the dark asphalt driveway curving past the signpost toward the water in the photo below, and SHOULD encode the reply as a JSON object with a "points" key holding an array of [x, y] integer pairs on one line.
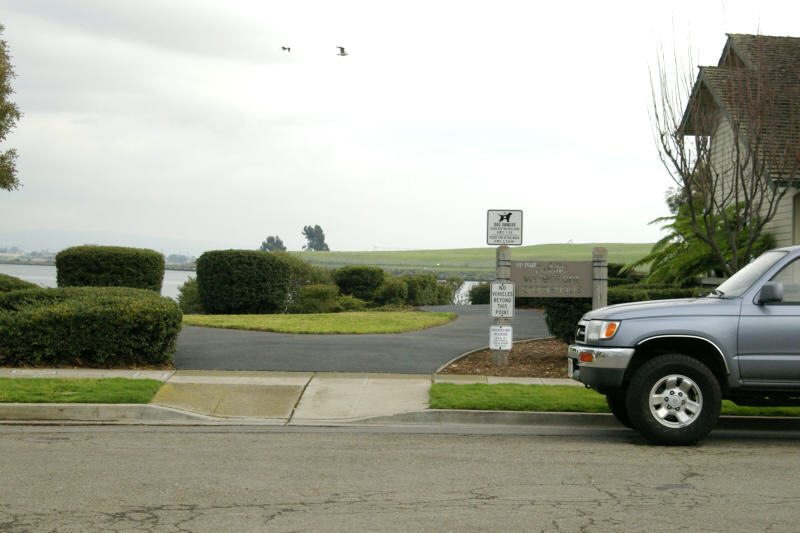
{"points": [[418, 352]]}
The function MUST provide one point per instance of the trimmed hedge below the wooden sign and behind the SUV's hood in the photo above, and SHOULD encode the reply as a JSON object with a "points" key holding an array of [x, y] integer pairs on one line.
{"points": [[562, 314]]}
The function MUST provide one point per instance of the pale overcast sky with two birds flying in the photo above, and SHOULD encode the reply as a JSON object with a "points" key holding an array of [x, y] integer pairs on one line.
{"points": [[181, 125]]}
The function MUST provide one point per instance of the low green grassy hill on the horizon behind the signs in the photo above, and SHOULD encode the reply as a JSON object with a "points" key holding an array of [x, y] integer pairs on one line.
{"points": [[472, 263]]}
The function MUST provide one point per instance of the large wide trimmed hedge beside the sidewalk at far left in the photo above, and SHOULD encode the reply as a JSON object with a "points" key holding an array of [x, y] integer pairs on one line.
{"points": [[87, 326]]}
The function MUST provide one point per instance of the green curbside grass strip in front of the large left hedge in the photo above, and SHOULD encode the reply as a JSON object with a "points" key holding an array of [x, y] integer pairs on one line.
{"points": [[68, 390]]}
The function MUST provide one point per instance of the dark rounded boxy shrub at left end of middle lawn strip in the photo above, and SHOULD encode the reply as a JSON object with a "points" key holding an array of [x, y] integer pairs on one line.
{"points": [[242, 282]]}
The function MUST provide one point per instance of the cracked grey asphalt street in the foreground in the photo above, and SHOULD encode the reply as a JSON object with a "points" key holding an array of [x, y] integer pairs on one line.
{"points": [[213, 479]]}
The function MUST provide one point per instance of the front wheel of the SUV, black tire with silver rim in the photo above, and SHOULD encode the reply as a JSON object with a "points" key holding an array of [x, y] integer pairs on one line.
{"points": [[690, 405]]}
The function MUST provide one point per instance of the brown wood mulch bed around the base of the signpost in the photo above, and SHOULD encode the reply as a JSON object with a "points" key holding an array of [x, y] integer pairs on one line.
{"points": [[538, 358]]}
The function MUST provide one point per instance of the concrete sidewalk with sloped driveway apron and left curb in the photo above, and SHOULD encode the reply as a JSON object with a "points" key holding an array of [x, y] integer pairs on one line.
{"points": [[245, 397]]}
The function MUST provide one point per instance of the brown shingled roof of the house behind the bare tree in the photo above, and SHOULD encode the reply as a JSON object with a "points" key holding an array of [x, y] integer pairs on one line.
{"points": [[753, 70]]}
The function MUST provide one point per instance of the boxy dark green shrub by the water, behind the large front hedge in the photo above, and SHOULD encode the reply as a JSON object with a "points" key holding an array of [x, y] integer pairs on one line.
{"points": [[110, 266]]}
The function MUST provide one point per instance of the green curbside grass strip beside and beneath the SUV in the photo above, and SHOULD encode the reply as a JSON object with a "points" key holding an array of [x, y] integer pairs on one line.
{"points": [[560, 398]]}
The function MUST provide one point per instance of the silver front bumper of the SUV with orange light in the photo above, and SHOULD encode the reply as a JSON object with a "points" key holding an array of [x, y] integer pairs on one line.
{"points": [[606, 368]]}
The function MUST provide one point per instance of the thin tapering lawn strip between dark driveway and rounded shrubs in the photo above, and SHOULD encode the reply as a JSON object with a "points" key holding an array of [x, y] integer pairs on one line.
{"points": [[328, 323]]}
